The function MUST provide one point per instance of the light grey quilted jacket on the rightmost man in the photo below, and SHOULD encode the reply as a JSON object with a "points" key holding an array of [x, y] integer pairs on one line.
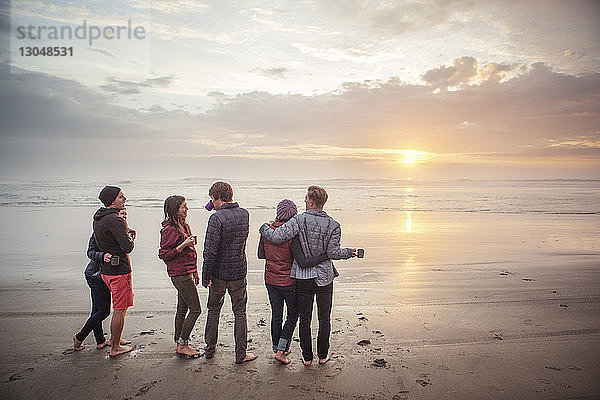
{"points": [[318, 234]]}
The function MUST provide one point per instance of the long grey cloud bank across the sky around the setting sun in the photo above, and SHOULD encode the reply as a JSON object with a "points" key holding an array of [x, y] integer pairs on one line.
{"points": [[543, 113]]}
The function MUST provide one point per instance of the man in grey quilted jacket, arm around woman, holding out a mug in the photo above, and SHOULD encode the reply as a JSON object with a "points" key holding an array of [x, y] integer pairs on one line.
{"points": [[319, 234]]}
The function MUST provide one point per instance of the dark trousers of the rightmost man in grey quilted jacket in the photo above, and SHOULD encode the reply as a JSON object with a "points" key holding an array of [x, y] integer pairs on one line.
{"points": [[307, 289]]}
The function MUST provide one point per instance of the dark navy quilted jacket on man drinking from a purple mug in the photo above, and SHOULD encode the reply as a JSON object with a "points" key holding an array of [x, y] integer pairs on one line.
{"points": [[225, 244]]}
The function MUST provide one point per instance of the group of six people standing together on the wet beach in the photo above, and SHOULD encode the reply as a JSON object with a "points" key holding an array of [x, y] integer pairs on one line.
{"points": [[298, 250]]}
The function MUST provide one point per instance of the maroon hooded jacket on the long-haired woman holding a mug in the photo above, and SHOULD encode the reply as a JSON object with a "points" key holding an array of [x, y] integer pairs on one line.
{"points": [[178, 263]]}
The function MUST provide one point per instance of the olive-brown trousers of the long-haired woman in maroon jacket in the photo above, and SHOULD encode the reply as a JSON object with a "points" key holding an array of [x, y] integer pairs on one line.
{"points": [[187, 299]]}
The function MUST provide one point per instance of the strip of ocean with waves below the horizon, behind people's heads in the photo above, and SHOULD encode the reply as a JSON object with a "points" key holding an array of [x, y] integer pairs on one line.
{"points": [[560, 196]]}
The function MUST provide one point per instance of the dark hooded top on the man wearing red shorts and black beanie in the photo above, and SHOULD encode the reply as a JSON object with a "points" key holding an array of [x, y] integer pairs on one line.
{"points": [[111, 235]]}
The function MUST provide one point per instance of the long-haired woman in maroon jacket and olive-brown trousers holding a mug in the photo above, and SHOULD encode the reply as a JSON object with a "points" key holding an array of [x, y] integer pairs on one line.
{"points": [[178, 252]]}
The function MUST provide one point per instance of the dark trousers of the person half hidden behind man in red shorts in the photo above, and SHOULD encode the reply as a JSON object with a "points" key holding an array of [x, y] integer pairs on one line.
{"points": [[100, 310]]}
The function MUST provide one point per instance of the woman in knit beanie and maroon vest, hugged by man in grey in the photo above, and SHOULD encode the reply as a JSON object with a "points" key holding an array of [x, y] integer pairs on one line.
{"points": [[280, 287]]}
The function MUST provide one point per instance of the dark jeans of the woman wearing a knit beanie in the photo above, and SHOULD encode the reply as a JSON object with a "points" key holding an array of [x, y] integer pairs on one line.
{"points": [[278, 295]]}
